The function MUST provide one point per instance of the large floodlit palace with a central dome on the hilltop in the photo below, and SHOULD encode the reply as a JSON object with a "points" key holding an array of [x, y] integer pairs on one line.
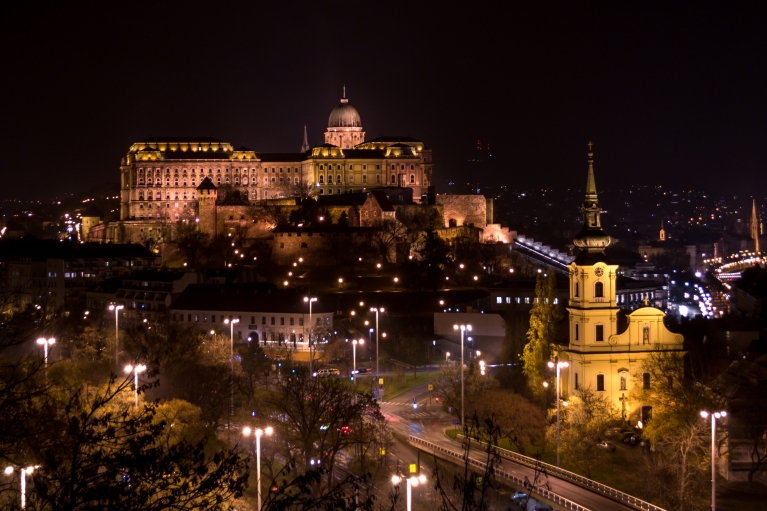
{"points": [[160, 176]]}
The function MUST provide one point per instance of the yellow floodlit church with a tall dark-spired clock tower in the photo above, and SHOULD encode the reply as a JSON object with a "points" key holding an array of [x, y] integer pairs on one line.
{"points": [[608, 346]]}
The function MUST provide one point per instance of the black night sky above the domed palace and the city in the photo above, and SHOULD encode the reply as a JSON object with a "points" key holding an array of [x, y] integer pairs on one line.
{"points": [[670, 97]]}
